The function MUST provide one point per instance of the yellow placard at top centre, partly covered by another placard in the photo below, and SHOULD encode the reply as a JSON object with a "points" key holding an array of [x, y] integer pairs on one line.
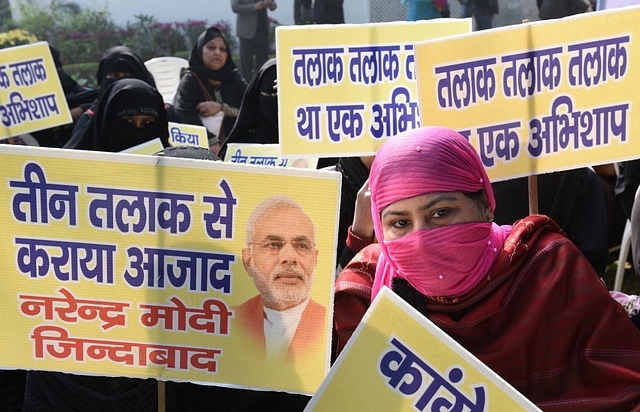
{"points": [[344, 89]]}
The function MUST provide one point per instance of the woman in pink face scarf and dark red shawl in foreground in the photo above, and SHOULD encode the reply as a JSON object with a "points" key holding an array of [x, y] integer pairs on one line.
{"points": [[521, 298]]}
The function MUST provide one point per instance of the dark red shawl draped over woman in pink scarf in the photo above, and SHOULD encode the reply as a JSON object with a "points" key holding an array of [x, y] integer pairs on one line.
{"points": [[542, 320]]}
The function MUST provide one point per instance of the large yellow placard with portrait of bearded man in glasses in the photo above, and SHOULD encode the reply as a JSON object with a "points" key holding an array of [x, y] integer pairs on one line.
{"points": [[139, 266]]}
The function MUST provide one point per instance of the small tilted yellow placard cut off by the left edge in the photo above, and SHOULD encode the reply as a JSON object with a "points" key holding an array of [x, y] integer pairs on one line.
{"points": [[31, 96]]}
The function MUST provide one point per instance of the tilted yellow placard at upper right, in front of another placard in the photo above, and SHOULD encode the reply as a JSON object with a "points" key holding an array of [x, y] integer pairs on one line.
{"points": [[539, 97]]}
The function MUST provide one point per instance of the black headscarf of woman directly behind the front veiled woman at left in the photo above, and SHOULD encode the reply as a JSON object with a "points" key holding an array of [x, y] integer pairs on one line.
{"points": [[122, 59]]}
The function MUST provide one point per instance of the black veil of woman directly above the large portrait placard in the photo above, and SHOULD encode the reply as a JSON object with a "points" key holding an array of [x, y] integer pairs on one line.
{"points": [[128, 97]]}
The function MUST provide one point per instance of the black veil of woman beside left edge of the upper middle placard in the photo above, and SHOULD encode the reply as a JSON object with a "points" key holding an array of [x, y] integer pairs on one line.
{"points": [[258, 116]]}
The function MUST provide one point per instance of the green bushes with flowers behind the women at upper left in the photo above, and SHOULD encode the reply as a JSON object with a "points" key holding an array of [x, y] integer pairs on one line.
{"points": [[82, 35]]}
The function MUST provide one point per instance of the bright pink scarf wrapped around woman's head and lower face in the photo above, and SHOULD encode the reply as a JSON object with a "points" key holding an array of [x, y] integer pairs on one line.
{"points": [[447, 261]]}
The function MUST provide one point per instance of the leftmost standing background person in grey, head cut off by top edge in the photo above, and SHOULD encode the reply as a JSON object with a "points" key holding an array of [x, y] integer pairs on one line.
{"points": [[252, 28]]}
